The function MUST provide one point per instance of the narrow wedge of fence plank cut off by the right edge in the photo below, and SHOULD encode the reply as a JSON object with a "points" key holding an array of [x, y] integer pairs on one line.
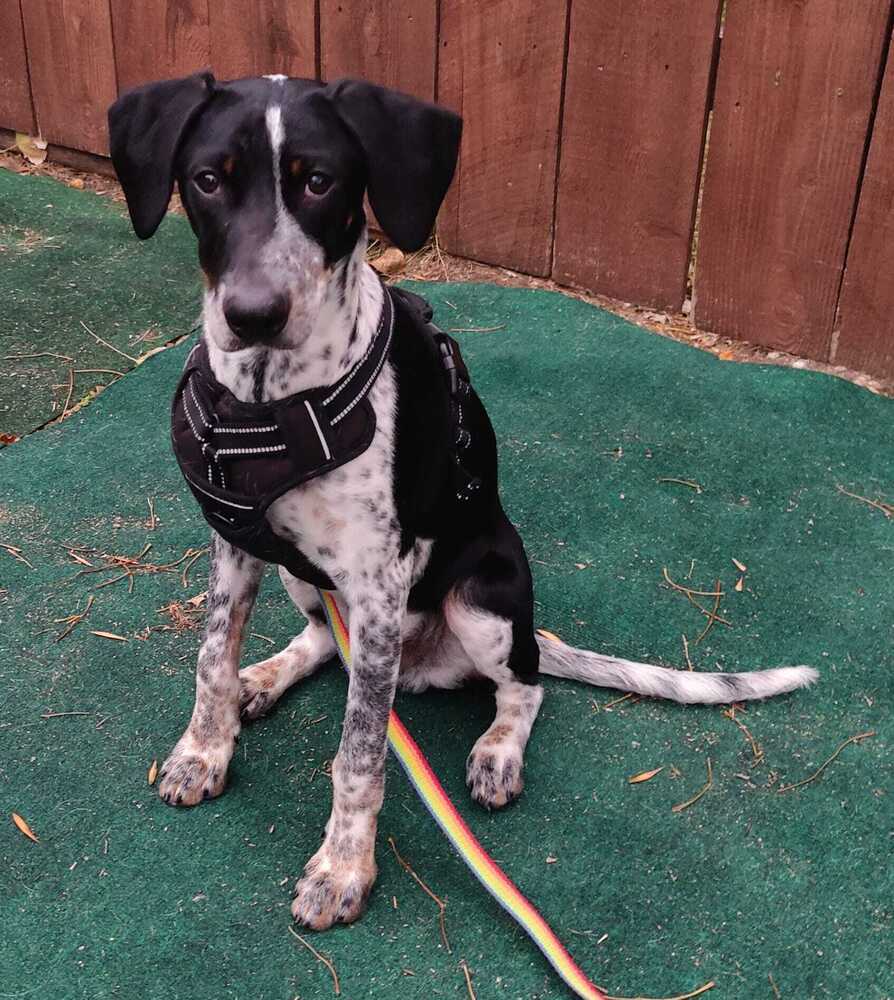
{"points": [[864, 336]]}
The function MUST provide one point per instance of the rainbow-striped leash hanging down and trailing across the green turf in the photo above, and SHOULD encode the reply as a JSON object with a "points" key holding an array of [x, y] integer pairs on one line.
{"points": [[445, 814]]}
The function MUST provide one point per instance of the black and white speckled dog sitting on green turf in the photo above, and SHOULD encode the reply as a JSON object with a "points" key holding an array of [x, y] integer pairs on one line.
{"points": [[435, 586]]}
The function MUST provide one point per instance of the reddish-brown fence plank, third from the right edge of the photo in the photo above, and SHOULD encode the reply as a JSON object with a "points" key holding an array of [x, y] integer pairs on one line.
{"points": [[635, 109]]}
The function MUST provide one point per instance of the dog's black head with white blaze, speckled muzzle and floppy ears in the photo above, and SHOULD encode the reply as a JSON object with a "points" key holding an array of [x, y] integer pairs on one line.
{"points": [[272, 173]]}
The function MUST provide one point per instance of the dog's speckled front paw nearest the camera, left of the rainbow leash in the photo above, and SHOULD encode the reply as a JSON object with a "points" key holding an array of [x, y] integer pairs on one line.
{"points": [[332, 891]]}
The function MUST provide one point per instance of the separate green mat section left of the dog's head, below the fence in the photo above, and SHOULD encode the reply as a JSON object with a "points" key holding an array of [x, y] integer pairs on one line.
{"points": [[69, 265]]}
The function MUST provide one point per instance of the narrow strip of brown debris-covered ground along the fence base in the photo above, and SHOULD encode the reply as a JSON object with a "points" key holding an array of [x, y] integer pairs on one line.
{"points": [[432, 264]]}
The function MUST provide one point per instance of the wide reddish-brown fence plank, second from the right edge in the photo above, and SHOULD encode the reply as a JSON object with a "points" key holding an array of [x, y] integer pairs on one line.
{"points": [[796, 84]]}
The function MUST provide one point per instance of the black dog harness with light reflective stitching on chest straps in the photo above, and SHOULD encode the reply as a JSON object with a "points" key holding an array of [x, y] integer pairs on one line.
{"points": [[238, 458]]}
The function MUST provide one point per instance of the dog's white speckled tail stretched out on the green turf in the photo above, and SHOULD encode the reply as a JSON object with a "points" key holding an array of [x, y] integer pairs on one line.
{"points": [[560, 660]]}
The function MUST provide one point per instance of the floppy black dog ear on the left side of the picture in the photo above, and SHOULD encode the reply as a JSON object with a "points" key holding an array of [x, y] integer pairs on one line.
{"points": [[146, 126]]}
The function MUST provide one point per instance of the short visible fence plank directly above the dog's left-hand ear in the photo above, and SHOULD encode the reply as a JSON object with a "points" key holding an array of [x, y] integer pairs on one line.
{"points": [[157, 39]]}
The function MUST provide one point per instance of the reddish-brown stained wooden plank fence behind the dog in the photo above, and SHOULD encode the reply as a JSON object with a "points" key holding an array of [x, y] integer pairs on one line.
{"points": [[593, 128]]}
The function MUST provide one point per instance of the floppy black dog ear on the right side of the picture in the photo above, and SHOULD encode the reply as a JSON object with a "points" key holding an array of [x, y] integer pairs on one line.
{"points": [[411, 149]]}
